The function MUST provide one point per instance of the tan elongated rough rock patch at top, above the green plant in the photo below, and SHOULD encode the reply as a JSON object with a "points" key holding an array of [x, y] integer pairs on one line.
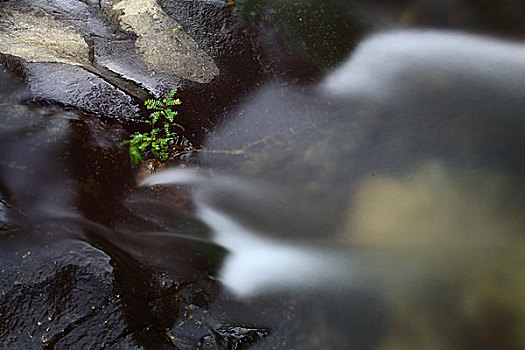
{"points": [[162, 44]]}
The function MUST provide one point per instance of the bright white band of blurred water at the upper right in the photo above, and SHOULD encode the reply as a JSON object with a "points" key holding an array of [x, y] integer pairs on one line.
{"points": [[389, 64]]}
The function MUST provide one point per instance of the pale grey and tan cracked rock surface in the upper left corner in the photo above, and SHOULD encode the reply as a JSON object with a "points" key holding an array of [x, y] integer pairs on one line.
{"points": [[113, 69]]}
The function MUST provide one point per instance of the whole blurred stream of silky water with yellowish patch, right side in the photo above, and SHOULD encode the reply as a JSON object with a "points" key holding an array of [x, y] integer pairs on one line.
{"points": [[410, 155]]}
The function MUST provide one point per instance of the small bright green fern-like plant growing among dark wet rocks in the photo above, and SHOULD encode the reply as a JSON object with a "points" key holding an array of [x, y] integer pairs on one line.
{"points": [[158, 140]]}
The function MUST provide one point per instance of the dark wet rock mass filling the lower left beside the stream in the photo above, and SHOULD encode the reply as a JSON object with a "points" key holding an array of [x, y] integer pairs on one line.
{"points": [[82, 267]]}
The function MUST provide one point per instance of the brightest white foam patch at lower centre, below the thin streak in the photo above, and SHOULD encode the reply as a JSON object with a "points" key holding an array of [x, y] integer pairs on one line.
{"points": [[257, 264]]}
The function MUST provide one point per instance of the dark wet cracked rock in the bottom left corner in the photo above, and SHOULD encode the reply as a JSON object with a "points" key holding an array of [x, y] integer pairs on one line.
{"points": [[51, 301]]}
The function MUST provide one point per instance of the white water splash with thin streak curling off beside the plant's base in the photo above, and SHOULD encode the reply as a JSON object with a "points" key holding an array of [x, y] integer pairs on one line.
{"points": [[256, 264]]}
